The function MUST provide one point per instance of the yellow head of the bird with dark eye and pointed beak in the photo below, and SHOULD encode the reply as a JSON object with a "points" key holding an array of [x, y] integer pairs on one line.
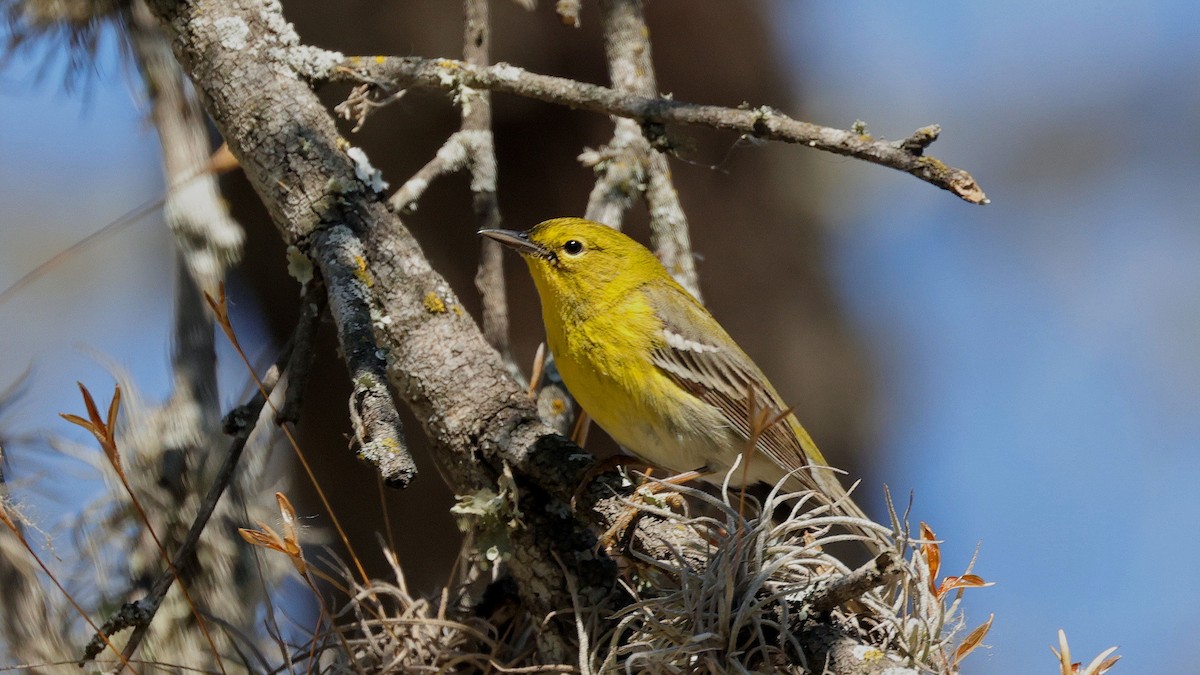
{"points": [[575, 261]]}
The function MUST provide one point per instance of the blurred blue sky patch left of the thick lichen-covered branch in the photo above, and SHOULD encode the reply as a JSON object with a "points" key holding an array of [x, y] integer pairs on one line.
{"points": [[71, 163]]}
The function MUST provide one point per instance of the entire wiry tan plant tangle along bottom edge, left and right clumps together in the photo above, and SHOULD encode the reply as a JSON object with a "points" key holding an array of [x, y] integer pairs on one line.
{"points": [[752, 594]]}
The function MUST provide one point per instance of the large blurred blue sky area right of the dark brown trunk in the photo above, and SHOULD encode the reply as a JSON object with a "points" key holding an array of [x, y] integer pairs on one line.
{"points": [[1040, 359]]}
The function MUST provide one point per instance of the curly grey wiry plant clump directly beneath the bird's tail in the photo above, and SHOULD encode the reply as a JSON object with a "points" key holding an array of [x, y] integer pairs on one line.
{"points": [[769, 586]]}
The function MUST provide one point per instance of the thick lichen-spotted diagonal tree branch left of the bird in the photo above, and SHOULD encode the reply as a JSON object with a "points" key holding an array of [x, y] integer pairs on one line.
{"points": [[479, 420]]}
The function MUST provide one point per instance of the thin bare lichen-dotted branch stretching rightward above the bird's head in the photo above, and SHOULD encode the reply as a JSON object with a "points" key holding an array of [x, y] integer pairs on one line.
{"points": [[391, 74]]}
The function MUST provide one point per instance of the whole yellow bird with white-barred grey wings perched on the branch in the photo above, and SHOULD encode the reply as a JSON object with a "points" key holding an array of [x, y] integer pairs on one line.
{"points": [[656, 371]]}
